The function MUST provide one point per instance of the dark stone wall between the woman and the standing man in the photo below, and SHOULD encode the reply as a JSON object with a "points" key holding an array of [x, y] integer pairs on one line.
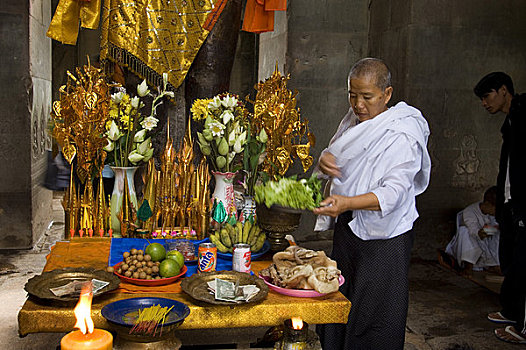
{"points": [[438, 51]]}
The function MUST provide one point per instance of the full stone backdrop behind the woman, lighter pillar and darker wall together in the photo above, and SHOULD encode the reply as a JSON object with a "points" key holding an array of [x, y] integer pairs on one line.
{"points": [[437, 51]]}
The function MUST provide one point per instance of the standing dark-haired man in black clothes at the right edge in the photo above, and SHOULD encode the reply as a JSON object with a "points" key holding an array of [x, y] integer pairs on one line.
{"points": [[496, 93]]}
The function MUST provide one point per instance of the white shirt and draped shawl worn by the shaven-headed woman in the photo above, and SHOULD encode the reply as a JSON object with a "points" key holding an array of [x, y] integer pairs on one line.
{"points": [[387, 156]]}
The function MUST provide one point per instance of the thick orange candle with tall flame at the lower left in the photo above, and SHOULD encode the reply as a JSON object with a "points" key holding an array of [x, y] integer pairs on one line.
{"points": [[87, 337]]}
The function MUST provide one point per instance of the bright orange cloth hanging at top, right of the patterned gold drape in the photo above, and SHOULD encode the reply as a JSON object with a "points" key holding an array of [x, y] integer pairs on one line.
{"points": [[259, 15]]}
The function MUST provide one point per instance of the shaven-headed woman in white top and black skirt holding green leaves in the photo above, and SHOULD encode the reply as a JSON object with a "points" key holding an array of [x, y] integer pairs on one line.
{"points": [[377, 168]]}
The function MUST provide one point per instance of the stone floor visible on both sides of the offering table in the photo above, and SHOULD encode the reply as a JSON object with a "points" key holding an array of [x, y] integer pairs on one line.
{"points": [[446, 311]]}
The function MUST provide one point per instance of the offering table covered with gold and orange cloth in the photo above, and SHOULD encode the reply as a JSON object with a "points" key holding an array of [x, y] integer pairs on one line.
{"points": [[38, 316]]}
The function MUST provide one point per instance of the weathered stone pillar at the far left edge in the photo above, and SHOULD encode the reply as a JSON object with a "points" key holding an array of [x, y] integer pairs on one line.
{"points": [[25, 75]]}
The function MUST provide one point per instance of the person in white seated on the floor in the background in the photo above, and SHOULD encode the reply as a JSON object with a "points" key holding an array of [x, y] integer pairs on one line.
{"points": [[475, 246]]}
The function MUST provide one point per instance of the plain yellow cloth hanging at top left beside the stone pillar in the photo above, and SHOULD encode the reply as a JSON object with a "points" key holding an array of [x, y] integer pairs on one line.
{"points": [[64, 26]]}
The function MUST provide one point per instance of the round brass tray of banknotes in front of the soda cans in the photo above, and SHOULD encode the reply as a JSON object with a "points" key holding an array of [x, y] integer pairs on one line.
{"points": [[197, 286]]}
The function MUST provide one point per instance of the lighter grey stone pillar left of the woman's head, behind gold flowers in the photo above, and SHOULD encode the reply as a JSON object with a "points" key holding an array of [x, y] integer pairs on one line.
{"points": [[316, 42]]}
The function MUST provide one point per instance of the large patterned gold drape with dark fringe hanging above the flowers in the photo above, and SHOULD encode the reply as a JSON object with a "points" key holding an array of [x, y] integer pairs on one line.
{"points": [[152, 37]]}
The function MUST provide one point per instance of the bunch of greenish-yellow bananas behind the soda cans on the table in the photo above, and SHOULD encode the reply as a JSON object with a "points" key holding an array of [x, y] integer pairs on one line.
{"points": [[239, 233]]}
